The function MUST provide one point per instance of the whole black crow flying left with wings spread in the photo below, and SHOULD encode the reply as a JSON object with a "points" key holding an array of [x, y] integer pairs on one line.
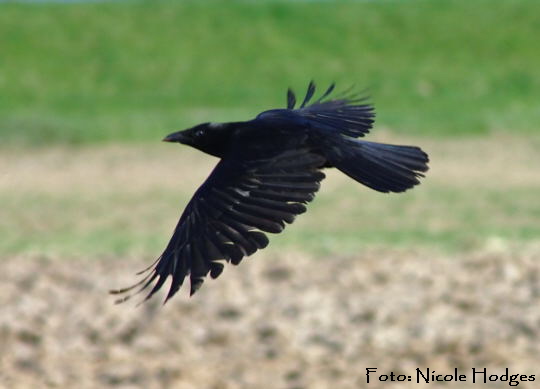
{"points": [[270, 167]]}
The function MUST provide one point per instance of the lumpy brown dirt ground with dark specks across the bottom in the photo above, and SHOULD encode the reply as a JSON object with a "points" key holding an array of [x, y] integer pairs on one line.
{"points": [[274, 322]]}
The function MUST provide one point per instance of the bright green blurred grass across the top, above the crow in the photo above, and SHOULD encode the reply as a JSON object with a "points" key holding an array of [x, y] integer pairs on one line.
{"points": [[133, 71]]}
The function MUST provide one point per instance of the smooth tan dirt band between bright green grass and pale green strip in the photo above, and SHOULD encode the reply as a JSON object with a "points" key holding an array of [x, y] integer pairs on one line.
{"points": [[487, 161]]}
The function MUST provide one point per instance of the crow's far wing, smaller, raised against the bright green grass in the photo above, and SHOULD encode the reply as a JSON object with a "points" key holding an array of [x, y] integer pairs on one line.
{"points": [[348, 114]]}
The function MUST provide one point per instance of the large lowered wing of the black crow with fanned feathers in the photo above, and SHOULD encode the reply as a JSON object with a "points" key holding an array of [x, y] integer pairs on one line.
{"points": [[230, 213]]}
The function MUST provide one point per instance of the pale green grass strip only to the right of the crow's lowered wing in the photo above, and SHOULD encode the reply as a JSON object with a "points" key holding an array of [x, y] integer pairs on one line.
{"points": [[436, 217]]}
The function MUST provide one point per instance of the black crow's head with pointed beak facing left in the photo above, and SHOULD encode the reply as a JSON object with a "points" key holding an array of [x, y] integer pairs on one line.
{"points": [[207, 137]]}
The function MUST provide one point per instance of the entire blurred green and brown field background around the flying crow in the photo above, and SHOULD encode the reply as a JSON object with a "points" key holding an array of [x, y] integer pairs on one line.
{"points": [[444, 276]]}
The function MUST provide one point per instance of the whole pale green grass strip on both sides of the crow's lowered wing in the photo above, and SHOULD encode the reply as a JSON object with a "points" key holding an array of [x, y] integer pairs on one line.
{"points": [[437, 218]]}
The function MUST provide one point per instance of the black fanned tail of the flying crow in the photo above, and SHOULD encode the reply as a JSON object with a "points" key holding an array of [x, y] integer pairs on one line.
{"points": [[385, 168]]}
